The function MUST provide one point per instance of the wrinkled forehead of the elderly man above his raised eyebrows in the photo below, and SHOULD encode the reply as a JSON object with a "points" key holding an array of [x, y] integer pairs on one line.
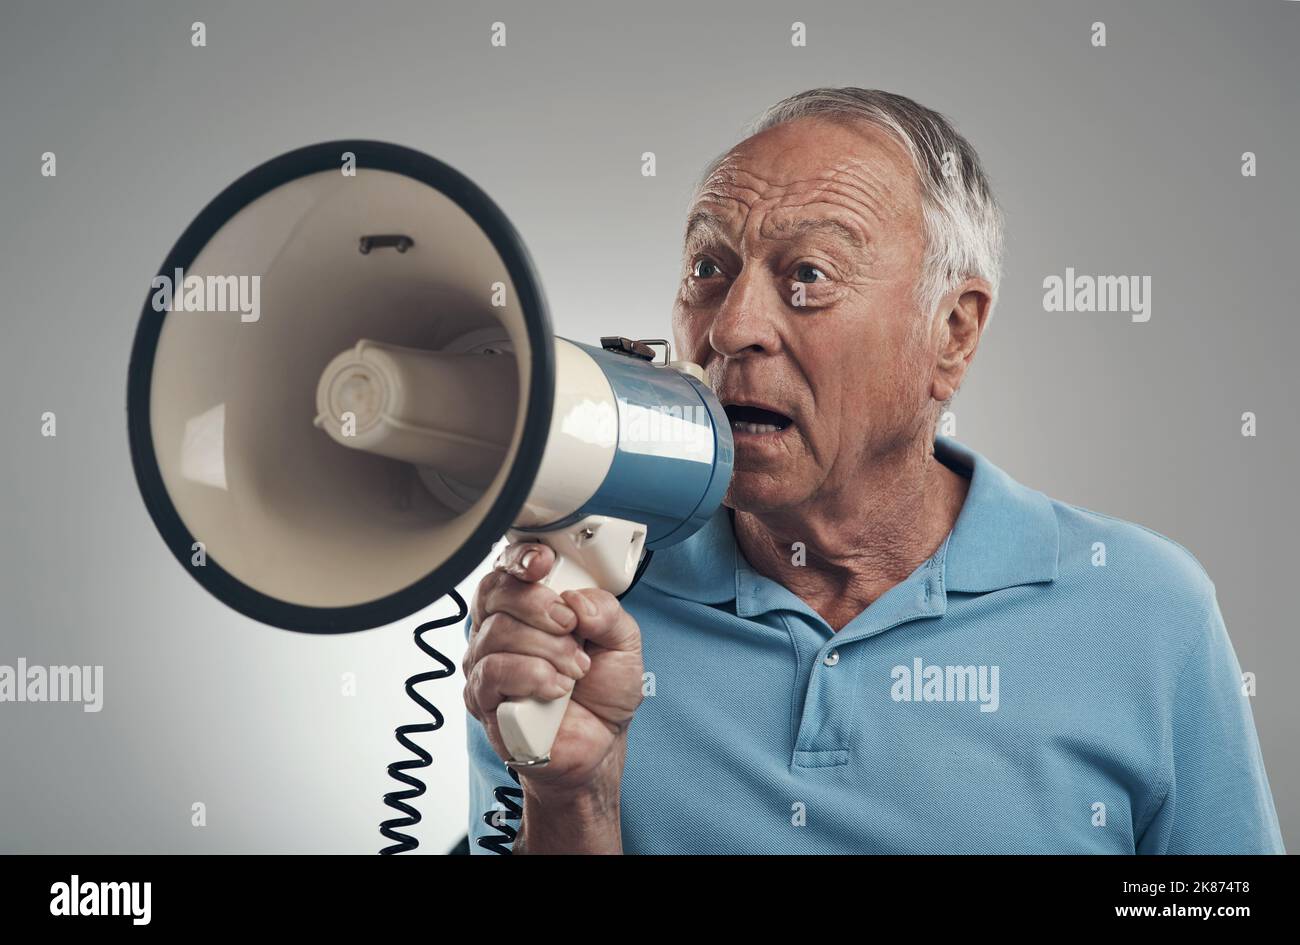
{"points": [[808, 163]]}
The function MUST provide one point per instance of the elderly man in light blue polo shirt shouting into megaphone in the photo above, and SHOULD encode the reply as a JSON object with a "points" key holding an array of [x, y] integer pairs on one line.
{"points": [[882, 644]]}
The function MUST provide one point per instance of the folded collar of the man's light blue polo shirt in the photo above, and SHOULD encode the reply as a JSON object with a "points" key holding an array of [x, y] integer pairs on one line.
{"points": [[1007, 535]]}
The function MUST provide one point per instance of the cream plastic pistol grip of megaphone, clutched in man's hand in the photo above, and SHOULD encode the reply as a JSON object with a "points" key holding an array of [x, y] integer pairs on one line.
{"points": [[596, 552]]}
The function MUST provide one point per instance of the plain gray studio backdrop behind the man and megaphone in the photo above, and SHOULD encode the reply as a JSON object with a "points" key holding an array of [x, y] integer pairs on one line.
{"points": [[1123, 161]]}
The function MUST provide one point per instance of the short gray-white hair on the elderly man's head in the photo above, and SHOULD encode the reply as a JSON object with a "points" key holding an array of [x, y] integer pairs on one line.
{"points": [[961, 218]]}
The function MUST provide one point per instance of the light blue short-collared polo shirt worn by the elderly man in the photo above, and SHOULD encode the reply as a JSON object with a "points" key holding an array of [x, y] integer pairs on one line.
{"points": [[1052, 680]]}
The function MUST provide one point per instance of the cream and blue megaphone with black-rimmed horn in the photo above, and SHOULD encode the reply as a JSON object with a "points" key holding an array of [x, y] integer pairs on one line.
{"points": [[345, 389]]}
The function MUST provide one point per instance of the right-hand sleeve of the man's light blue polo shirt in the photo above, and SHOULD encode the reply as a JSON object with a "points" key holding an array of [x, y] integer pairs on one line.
{"points": [[1219, 799]]}
